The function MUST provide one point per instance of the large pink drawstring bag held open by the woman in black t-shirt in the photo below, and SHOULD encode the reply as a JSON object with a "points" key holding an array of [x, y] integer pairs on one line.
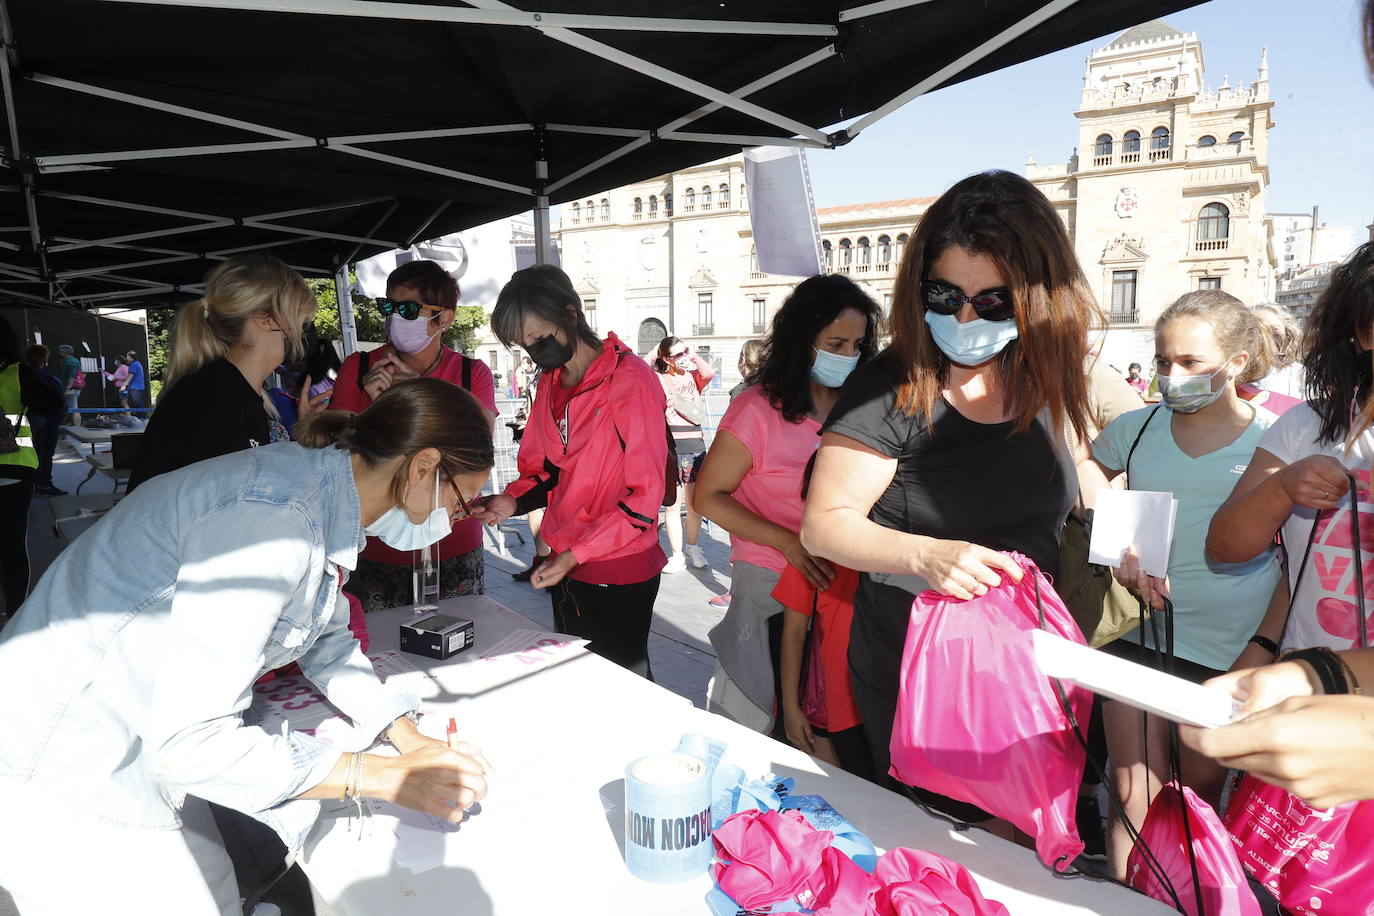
{"points": [[976, 719]]}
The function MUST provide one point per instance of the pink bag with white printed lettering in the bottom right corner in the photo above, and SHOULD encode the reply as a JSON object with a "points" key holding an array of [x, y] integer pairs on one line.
{"points": [[1313, 862]]}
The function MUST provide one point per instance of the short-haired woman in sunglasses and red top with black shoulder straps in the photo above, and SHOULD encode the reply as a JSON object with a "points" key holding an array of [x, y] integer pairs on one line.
{"points": [[420, 307]]}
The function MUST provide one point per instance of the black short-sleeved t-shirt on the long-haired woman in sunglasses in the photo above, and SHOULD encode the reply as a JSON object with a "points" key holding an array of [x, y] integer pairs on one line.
{"points": [[957, 480]]}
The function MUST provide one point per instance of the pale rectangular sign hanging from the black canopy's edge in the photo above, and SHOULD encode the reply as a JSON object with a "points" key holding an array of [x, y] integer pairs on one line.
{"points": [[782, 212]]}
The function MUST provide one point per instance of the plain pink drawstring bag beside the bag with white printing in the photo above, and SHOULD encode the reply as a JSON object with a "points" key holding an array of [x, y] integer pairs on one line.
{"points": [[1219, 875]]}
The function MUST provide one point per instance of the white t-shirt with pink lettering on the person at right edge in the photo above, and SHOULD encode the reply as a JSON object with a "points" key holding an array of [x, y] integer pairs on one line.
{"points": [[1325, 610]]}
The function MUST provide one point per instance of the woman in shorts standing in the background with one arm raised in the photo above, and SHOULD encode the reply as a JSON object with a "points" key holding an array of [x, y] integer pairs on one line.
{"points": [[685, 376]]}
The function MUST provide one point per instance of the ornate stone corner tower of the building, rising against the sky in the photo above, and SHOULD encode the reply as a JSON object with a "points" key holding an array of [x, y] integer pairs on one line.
{"points": [[1167, 192]]}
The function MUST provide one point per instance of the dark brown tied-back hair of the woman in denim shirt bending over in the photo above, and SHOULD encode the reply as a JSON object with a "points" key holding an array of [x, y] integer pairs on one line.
{"points": [[409, 417]]}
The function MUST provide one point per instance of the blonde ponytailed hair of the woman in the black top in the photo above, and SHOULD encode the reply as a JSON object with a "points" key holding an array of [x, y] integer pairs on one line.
{"points": [[236, 292]]}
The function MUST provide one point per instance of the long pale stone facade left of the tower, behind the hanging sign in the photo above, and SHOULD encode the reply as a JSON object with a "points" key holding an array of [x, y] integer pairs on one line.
{"points": [[675, 256]]}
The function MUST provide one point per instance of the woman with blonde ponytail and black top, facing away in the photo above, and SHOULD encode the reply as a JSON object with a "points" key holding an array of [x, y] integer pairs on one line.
{"points": [[223, 350]]}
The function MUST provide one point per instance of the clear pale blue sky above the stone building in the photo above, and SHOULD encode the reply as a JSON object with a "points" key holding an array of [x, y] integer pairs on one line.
{"points": [[1322, 145]]}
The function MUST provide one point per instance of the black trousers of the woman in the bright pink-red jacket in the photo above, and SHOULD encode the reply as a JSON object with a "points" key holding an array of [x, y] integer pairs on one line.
{"points": [[613, 619]]}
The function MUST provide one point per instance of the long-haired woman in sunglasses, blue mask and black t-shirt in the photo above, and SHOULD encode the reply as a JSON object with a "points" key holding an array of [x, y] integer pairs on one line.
{"points": [[947, 448]]}
